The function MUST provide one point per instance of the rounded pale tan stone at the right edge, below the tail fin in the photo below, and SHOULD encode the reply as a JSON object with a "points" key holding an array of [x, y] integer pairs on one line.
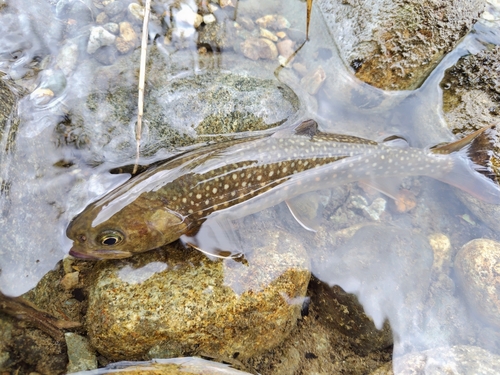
{"points": [[477, 266]]}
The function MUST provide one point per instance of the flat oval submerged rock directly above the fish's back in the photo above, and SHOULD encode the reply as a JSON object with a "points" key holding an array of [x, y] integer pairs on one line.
{"points": [[180, 103]]}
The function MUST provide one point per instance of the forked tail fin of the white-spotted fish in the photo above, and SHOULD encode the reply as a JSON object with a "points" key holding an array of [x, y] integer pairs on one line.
{"points": [[467, 175]]}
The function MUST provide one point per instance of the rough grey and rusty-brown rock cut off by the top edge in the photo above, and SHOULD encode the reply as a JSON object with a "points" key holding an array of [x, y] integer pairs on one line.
{"points": [[394, 45]]}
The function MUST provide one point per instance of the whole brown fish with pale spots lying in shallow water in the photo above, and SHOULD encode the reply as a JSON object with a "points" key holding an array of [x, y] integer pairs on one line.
{"points": [[238, 177]]}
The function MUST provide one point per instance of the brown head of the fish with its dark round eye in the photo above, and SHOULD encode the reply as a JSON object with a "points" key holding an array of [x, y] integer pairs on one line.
{"points": [[134, 229]]}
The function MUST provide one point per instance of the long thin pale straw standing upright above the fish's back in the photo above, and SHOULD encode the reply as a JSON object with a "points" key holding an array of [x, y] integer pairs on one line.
{"points": [[142, 79]]}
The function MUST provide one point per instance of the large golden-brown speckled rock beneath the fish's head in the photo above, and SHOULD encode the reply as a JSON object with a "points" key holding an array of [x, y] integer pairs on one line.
{"points": [[172, 302]]}
